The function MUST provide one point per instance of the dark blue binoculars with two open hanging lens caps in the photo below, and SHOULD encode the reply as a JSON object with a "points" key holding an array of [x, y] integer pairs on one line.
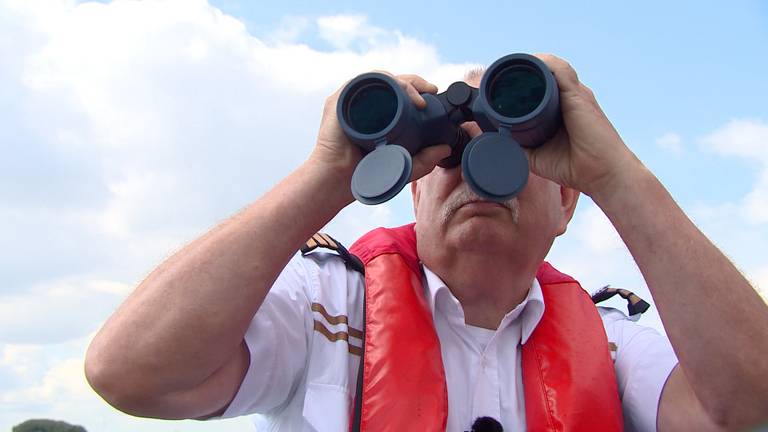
{"points": [[517, 105]]}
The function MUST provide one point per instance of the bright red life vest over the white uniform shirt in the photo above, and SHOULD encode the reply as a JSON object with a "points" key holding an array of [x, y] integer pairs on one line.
{"points": [[568, 376]]}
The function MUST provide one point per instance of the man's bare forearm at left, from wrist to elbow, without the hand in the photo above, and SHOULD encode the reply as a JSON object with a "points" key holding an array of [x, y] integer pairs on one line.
{"points": [[190, 315]]}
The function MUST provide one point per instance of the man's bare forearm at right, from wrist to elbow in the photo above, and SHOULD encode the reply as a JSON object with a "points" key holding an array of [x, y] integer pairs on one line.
{"points": [[716, 322]]}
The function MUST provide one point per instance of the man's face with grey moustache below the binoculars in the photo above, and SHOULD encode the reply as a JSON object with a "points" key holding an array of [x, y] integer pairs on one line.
{"points": [[449, 214]]}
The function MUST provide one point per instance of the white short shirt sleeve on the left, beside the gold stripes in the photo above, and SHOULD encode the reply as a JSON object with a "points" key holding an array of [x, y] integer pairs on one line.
{"points": [[278, 342]]}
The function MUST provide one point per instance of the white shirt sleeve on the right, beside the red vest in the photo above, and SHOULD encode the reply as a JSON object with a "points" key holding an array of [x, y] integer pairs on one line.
{"points": [[643, 361]]}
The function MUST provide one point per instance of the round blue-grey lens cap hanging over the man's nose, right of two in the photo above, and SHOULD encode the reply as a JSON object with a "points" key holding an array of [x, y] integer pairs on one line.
{"points": [[495, 166]]}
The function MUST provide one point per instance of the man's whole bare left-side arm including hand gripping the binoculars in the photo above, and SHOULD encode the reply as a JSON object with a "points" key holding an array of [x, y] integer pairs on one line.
{"points": [[174, 348]]}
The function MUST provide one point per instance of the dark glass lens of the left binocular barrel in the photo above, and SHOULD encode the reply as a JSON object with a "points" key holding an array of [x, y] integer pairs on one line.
{"points": [[371, 108]]}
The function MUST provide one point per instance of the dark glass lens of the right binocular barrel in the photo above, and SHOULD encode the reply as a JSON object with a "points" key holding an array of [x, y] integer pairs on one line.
{"points": [[516, 91]]}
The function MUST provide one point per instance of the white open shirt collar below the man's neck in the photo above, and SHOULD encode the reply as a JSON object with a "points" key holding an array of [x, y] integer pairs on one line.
{"points": [[529, 311]]}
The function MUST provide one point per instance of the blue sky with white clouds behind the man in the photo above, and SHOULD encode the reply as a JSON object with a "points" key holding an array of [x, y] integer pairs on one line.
{"points": [[128, 128]]}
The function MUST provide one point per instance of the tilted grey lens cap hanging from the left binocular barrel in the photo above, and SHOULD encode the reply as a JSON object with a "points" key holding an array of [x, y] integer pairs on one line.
{"points": [[381, 174]]}
